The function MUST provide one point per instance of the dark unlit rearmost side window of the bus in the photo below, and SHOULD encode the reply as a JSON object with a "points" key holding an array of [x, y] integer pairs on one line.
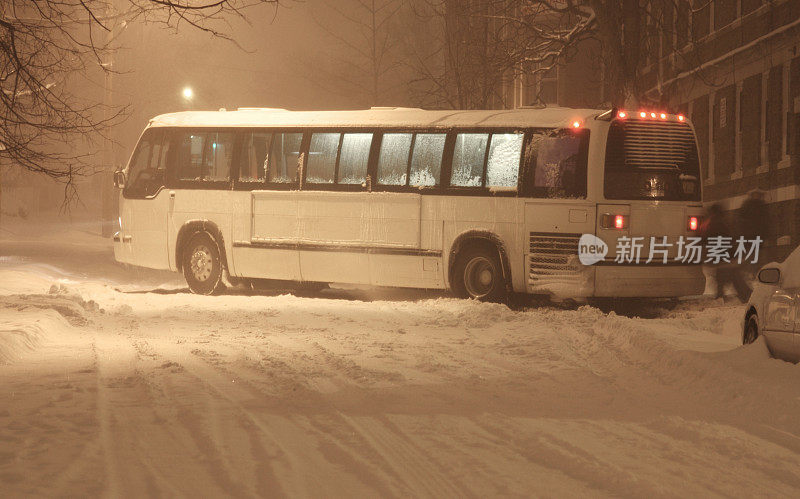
{"points": [[559, 165]]}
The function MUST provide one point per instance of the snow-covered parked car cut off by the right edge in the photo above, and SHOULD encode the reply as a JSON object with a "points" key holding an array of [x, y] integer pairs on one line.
{"points": [[774, 308]]}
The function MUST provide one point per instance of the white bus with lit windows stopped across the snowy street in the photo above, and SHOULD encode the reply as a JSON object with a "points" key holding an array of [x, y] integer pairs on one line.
{"points": [[483, 203]]}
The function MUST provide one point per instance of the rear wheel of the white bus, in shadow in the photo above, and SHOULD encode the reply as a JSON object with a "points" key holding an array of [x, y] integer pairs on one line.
{"points": [[477, 274]]}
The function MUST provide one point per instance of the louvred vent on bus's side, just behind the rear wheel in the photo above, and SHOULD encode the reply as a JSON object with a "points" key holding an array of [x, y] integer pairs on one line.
{"points": [[553, 257]]}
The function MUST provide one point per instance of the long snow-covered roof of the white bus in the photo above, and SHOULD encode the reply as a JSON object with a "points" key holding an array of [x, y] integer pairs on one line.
{"points": [[549, 117]]}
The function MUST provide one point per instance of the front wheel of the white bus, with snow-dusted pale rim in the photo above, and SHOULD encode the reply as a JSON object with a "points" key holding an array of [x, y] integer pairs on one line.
{"points": [[202, 267]]}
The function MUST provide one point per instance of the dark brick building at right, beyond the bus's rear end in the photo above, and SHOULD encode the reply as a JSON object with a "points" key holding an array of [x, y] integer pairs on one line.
{"points": [[743, 96]]}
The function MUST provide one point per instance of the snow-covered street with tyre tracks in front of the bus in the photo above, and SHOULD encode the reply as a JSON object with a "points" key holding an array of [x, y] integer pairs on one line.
{"points": [[116, 381]]}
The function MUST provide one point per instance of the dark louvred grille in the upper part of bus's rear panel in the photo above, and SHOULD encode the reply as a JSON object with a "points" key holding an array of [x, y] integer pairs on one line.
{"points": [[656, 144]]}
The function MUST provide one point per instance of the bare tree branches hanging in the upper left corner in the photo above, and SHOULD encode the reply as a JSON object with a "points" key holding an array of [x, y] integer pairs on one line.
{"points": [[47, 49]]}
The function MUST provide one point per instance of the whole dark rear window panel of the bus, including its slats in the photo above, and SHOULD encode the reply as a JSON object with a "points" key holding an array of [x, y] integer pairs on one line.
{"points": [[651, 160]]}
